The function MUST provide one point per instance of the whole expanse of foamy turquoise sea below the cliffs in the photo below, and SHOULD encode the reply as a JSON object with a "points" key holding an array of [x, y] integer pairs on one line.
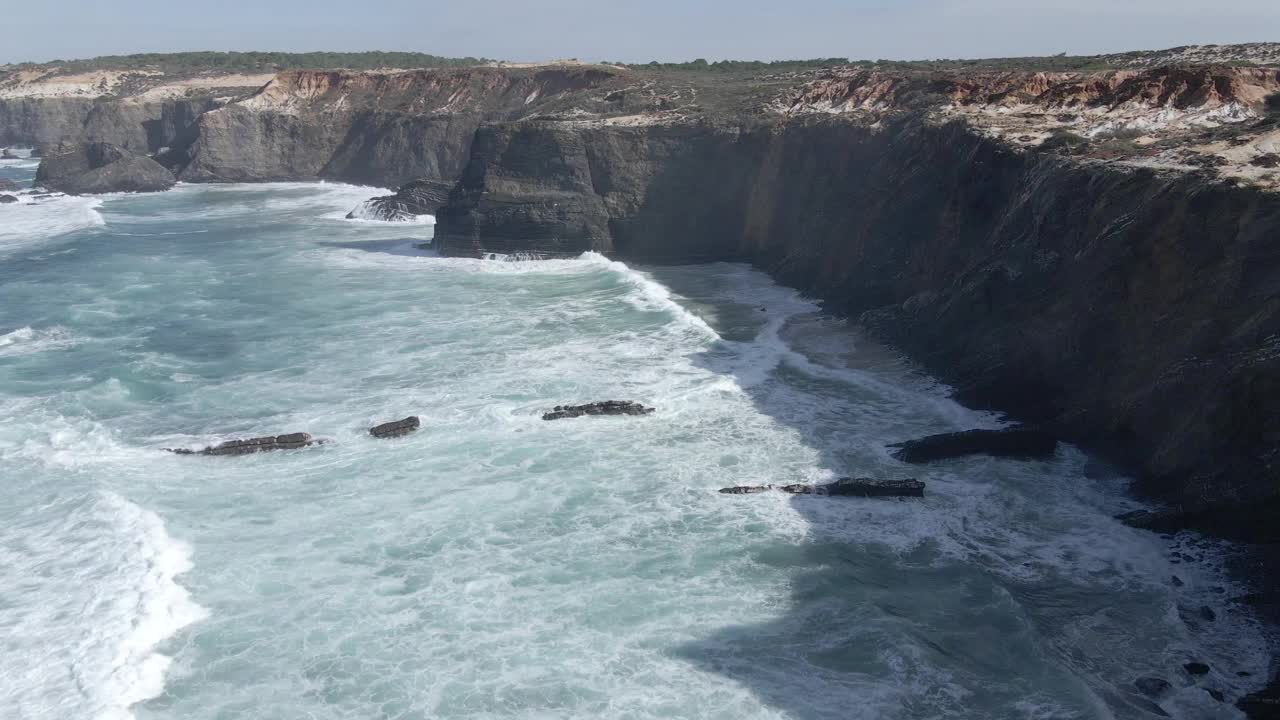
{"points": [[497, 566]]}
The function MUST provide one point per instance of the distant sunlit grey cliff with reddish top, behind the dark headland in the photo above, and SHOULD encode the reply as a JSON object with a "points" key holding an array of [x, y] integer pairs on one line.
{"points": [[382, 129]]}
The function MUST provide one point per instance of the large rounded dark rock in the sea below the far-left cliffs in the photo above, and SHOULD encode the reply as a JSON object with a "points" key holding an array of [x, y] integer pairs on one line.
{"points": [[100, 167]]}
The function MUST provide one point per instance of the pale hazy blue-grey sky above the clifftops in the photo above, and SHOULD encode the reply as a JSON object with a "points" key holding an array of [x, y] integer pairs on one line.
{"points": [[633, 31]]}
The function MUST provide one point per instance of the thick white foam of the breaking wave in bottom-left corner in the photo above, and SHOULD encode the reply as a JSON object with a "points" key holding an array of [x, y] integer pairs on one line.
{"points": [[99, 596]]}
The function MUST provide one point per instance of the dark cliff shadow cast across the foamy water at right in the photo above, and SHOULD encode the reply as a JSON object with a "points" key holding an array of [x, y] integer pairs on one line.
{"points": [[883, 621]]}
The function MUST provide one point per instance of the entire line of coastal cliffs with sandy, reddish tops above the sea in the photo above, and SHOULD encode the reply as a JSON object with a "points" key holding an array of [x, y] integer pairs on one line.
{"points": [[1000, 229]]}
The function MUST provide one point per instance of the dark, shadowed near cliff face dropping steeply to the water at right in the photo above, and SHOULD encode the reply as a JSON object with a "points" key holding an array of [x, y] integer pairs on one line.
{"points": [[1132, 311]]}
